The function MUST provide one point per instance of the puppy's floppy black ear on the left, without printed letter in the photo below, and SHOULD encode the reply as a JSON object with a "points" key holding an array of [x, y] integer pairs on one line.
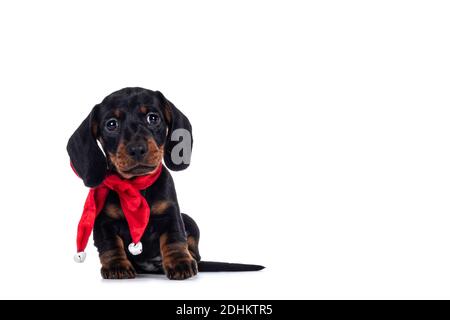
{"points": [[85, 155]]}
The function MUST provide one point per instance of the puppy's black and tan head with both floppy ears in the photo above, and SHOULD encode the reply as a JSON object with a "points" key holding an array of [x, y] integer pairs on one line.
{"points": [[137, 128]]}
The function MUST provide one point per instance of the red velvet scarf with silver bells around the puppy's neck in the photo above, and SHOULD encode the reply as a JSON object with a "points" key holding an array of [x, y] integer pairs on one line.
{"points": [[134, 206]]}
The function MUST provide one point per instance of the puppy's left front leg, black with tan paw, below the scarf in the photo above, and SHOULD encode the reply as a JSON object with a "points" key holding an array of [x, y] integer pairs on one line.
{"points": [[115, 264]]}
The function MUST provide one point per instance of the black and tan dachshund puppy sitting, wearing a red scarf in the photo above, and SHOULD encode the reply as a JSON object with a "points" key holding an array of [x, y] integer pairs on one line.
{"points": [[133, 126]]}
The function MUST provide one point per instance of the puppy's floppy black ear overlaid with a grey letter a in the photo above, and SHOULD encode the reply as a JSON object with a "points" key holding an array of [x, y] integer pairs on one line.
{"points": [[178, 147]]}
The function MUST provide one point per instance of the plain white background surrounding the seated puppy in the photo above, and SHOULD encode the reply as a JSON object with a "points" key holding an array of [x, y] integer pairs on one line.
{"points": [[321, 141]]}
